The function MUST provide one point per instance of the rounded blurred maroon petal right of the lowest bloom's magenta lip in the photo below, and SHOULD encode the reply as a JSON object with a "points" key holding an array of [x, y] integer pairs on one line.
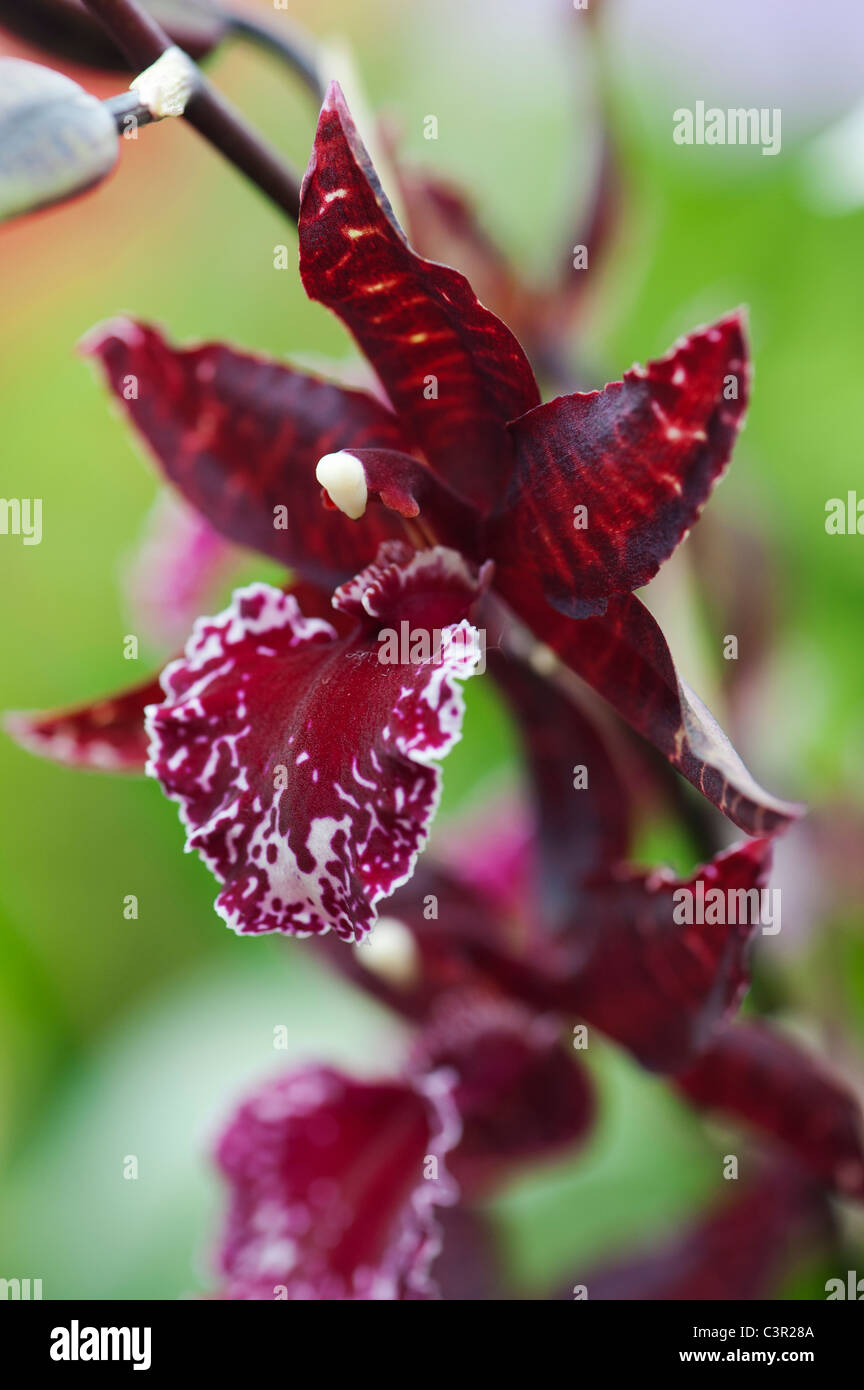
{"points": [[519, 1095]]}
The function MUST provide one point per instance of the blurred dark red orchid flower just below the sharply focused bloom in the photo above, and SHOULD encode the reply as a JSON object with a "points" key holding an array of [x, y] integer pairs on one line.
{"points": [[584, 939]]}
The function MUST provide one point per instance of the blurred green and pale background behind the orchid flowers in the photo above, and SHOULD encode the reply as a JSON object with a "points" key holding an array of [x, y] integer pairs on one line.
{"points": [[138, 1038]]}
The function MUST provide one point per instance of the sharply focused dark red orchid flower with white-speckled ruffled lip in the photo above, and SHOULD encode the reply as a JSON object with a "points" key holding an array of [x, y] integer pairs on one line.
{"points": [[301, 761]]}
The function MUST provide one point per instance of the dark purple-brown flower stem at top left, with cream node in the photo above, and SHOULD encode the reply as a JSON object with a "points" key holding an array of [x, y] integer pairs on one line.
{"points": [[144, 41]]}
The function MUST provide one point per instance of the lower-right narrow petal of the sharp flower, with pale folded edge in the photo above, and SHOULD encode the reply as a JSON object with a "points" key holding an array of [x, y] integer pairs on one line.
{"points": [[624, 657]]}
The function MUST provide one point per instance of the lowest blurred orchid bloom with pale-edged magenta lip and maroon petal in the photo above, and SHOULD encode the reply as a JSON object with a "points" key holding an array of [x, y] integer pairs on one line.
{"points": [[337, 1184]]}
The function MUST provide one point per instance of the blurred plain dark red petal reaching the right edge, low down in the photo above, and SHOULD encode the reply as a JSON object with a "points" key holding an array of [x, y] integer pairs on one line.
{"points": [[755, 1075]]}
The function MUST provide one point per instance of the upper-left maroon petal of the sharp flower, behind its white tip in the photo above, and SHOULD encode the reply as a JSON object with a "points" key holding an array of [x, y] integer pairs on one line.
{"points": [[241, 437]]}
